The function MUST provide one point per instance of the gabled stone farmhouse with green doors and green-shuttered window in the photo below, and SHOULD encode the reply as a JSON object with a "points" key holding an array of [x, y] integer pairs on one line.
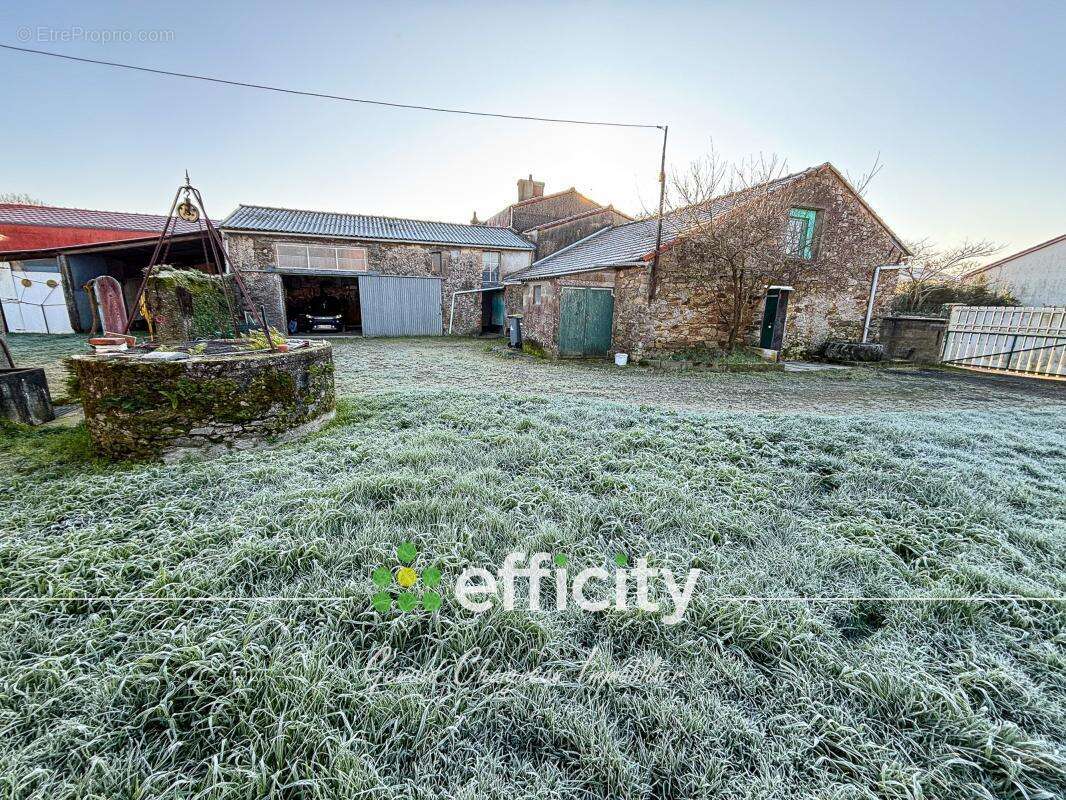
{"points": [[592, 297]]}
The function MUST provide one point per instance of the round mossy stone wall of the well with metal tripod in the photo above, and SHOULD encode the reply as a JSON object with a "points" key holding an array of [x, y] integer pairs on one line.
{"points": [[140, 409]]}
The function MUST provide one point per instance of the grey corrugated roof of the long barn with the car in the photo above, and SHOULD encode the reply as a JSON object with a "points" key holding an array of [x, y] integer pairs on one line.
{"points": [[362, 227]]}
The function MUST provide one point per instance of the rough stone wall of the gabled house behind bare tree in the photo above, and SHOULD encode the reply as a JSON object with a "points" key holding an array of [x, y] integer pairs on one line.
{"points": [[829, 302]]}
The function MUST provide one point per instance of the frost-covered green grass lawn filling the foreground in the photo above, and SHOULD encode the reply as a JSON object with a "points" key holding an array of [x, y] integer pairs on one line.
{"points": [[257, 696]]}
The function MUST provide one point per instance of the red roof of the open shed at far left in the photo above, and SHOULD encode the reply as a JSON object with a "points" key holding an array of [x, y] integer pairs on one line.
{"points": [[25, 228]]}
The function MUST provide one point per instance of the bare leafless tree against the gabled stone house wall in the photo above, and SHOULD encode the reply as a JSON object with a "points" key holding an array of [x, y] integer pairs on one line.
{"points": [[735, 242]]}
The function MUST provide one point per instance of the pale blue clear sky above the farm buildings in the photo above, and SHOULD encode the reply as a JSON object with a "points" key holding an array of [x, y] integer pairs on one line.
{"points": [[966, 104]]}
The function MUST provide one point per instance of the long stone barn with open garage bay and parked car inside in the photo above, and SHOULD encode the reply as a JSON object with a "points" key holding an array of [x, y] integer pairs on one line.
{"points": [[382, 276]]}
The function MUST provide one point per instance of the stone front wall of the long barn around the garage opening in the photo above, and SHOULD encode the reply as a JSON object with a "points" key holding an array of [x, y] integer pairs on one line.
{"points": [[461, 269]]}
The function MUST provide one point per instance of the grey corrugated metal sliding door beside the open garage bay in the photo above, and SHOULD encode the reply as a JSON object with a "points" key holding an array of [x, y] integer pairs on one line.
{"points": [[400, 307]]}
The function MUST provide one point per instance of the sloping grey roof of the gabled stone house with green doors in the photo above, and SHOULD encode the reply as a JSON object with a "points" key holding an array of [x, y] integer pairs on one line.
{"points": [[626, 246]]}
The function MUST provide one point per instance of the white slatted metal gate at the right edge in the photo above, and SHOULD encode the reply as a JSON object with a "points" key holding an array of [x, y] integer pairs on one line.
{"points": [[1029, 342]]}
